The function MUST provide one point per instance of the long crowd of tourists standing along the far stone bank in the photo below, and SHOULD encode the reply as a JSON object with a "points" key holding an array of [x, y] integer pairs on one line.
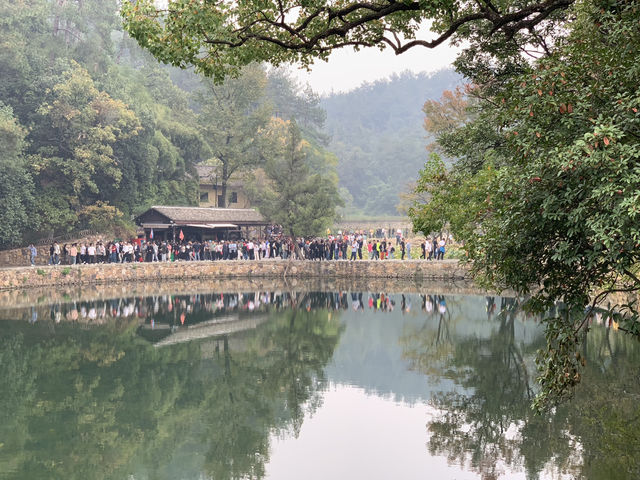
{"points": [[354, 246]]}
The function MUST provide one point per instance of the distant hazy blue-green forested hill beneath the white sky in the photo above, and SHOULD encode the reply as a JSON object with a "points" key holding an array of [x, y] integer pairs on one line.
{"points": [[376, 132]]}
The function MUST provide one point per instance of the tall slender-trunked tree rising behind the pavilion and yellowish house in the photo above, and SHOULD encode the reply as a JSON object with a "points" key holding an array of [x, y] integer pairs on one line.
{"points": [[231, 117]]}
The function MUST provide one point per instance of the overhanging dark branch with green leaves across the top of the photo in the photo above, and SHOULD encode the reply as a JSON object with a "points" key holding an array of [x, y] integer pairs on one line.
{"points": [[218, 38]]}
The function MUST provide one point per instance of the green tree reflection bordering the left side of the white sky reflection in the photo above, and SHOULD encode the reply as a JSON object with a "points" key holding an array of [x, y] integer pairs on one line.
{"points": [[266, 388]]}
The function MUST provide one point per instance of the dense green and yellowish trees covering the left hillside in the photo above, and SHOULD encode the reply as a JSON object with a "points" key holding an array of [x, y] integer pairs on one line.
{"points": [[93, 130]]}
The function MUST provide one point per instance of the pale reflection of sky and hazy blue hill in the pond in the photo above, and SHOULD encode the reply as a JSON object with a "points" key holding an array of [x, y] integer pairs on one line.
{"points": [[372, 422]]}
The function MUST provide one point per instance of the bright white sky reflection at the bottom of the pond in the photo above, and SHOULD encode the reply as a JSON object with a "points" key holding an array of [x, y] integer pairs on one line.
{"points": [[356, 435]]}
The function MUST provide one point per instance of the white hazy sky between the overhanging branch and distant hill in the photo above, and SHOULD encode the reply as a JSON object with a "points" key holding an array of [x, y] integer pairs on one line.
{"points": [[347, 69]]}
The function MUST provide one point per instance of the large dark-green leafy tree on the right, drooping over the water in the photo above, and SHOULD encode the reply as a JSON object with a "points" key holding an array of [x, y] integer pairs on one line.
{"points": [[557, 217]]}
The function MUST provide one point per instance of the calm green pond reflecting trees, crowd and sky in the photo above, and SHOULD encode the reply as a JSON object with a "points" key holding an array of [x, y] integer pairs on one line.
{"points": [[301, 381]]}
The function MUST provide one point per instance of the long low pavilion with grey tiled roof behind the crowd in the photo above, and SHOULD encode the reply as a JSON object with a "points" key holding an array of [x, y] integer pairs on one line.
{"points": [[201, 223]]}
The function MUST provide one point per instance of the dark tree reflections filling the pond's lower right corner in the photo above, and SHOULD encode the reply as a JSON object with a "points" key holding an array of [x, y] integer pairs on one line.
{"points": [[489, 424]]}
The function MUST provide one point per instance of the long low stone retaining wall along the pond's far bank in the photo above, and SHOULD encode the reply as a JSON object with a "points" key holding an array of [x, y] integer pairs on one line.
{"points": [[61, 275]]}
